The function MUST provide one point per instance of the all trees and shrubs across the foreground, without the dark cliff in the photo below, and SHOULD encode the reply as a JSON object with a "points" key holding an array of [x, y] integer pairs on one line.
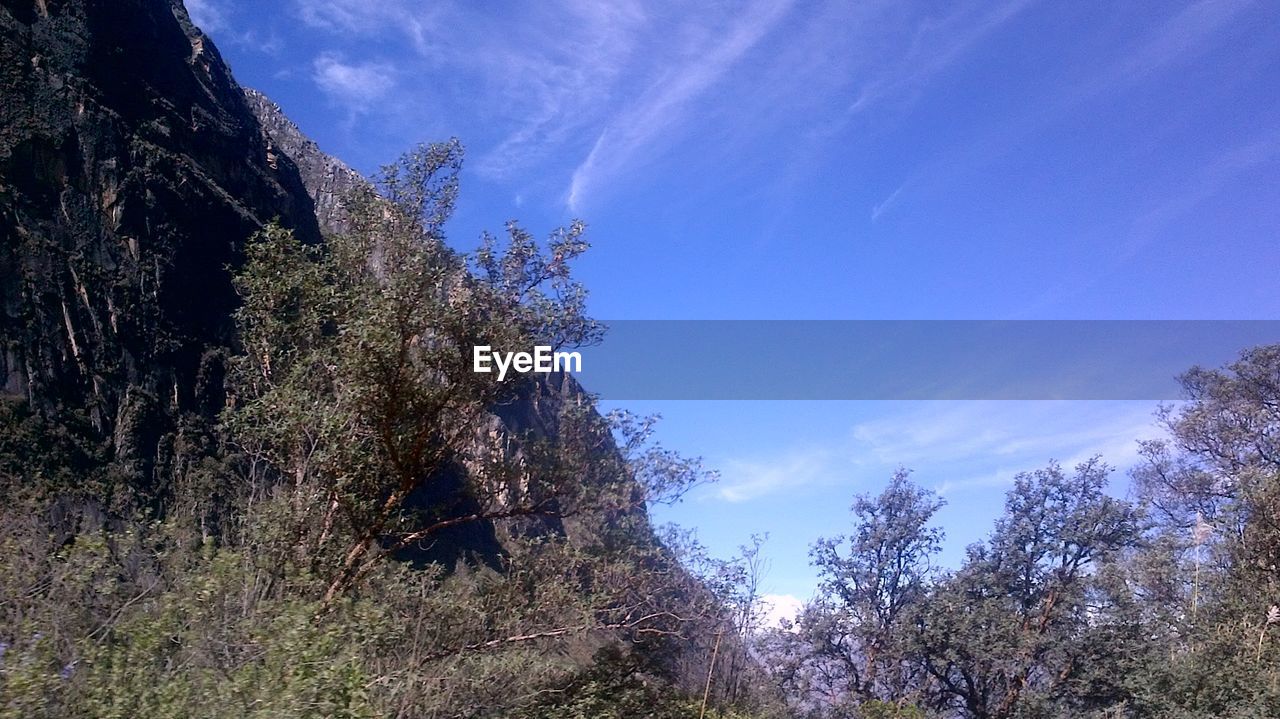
{"points": [[374, 530]]}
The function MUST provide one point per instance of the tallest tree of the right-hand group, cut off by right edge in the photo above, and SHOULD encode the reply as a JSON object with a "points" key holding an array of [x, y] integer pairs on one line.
{"points": [[1214, 491]]}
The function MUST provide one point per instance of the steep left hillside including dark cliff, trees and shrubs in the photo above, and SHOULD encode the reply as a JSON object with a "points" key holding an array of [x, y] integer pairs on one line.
{"points": [[154, 213]]}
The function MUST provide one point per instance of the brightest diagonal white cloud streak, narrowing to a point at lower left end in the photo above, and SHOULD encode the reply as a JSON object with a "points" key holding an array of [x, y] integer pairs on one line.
{"points": [[662, 107]]}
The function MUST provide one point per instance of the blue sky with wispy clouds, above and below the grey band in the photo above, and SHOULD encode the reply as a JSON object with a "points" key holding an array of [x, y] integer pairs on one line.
{"points": [[831, 161]]}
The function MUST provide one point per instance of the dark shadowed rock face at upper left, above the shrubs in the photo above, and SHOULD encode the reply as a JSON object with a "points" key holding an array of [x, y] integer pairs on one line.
{"points": [[132, 171]]}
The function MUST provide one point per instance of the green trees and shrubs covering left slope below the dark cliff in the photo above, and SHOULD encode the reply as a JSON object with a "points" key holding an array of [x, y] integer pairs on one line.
{"points": [[358, 437]]}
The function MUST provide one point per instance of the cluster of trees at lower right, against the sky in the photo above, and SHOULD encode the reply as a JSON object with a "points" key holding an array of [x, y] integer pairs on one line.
{"points": [[1080, 604]]}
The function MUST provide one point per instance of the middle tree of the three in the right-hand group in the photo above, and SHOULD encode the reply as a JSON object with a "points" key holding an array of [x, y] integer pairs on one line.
{"points": [[1013, 631]]}
